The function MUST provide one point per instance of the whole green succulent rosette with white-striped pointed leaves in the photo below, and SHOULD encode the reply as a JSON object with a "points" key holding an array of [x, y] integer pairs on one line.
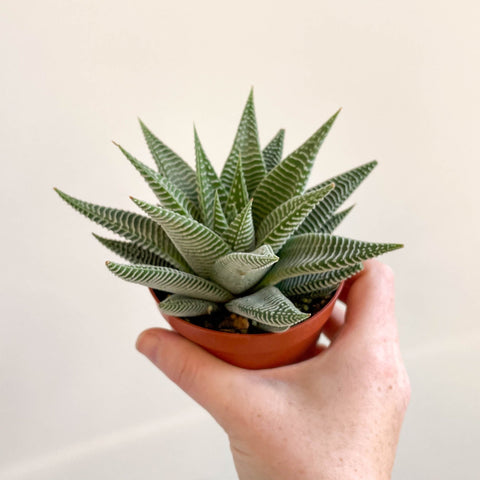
{"points": [[247, 242]]}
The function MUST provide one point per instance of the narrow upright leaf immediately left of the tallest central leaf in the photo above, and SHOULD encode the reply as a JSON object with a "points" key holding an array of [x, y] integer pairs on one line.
{"points": [[207, 184]]}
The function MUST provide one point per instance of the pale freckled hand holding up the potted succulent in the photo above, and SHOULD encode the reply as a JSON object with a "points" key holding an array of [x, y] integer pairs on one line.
{"points": [[335, 416]]}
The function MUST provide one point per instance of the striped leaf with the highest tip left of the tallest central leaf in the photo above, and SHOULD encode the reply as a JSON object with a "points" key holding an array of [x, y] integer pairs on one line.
{"points": [[171, 165]]}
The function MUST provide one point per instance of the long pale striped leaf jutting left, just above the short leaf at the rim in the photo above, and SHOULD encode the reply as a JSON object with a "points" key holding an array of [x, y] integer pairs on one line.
{"points": [[170, 280]]}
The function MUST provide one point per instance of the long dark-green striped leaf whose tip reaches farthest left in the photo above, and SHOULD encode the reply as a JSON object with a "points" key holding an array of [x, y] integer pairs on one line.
{"points": [[132, 226]]}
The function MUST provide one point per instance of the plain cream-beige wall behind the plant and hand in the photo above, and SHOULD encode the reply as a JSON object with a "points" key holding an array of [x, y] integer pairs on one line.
{"points": [[76, 400]]}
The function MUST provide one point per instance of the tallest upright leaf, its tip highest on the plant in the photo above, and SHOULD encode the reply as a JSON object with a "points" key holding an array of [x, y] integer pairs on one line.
{"points": [[246, 145]]}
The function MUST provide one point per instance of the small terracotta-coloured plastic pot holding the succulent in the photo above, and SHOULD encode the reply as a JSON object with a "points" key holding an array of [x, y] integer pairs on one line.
{"points": [[258, 350]]}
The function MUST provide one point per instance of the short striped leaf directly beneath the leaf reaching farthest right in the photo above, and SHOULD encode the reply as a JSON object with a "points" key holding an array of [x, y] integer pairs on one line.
{"points": [[318, 283]]}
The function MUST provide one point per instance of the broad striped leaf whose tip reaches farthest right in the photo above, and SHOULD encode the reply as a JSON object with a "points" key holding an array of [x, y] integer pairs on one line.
{"points": [[318, 252]]}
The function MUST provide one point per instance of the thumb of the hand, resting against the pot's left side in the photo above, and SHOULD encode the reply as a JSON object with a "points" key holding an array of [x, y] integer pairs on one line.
{"points": [[207, 379]]}
